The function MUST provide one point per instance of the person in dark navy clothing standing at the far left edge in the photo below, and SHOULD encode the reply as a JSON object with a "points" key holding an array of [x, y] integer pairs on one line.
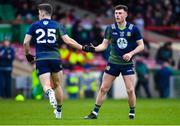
{"points": [[7, 54]]}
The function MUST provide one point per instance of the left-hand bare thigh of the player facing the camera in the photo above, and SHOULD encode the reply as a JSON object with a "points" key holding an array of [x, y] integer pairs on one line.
{"points": [[107, 80]]}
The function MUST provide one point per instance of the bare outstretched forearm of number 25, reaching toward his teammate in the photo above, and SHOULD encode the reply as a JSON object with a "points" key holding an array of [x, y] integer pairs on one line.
{"points": [[71, 42]]}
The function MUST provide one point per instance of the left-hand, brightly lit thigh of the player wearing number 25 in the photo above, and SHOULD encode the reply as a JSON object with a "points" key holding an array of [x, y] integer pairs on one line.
{"points": [[45, 79]]}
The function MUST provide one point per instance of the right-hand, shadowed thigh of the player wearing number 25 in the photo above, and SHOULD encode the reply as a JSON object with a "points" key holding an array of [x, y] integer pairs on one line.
{"points": [[57, 78]]}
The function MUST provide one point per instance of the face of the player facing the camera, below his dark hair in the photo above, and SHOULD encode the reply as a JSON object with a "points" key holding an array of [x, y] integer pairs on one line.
{"points": [[120, 15]]}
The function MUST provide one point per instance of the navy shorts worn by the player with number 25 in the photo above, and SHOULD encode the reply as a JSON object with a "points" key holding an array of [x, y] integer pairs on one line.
{"points": [[46, 66]]}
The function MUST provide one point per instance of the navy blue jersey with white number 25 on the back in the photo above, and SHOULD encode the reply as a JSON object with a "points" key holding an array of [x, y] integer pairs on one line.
{"points": [[46, 38]]}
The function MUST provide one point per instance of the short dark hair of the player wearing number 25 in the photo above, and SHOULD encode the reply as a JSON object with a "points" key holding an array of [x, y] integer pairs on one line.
{"points": [[46, 7]]}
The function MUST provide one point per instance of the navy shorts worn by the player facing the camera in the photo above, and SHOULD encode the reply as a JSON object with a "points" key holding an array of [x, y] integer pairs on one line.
{"points": [[116, 69]]}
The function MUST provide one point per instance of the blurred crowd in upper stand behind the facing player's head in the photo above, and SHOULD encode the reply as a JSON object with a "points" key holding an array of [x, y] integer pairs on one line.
{"points": [[154, 12]]}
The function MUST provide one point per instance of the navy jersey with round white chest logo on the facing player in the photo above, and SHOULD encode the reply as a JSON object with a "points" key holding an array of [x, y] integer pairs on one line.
{"points": [[122, 41]]}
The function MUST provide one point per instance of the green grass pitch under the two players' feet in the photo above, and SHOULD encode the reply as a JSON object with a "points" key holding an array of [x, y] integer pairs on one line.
{"points": [[113, 112]]}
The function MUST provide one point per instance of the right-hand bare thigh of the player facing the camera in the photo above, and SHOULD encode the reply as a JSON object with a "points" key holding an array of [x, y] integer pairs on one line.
{"points": [[129, 81]]}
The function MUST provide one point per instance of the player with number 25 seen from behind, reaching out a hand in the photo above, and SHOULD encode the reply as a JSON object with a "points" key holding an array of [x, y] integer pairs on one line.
{"points": [[45, 34]]}
